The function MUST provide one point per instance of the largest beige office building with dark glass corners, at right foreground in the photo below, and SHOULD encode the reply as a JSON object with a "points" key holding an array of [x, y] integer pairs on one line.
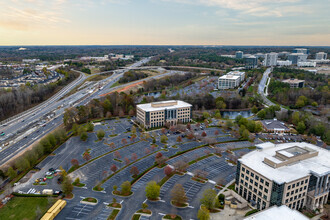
{"points": [[292, 174]]}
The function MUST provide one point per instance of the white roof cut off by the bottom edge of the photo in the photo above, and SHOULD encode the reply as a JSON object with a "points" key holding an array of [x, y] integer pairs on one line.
{"points": [[275, 213]]}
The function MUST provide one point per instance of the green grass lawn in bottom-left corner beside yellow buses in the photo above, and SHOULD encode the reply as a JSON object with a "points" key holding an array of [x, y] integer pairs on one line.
{"points": [[25, 208]]}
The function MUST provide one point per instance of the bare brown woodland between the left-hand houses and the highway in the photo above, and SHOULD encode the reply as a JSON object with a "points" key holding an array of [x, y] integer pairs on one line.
{"points": [[16, 100]]}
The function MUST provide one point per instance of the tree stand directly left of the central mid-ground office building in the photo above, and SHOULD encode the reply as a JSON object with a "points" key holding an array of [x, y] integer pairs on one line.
{"points": [[114, 104]]}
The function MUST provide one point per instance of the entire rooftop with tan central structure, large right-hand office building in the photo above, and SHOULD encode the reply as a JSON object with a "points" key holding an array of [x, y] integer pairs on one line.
{"points": [[286, 169]]}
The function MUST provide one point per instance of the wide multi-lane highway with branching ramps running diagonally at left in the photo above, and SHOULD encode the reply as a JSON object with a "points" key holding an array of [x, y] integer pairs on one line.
{"points": [[56, 106]]}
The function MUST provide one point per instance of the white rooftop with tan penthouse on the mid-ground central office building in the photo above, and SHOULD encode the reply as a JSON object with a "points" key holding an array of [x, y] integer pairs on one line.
{"points": [[157, 106]]}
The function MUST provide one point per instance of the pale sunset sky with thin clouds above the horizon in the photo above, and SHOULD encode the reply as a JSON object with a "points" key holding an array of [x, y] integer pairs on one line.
{"points": [[165, 22]]}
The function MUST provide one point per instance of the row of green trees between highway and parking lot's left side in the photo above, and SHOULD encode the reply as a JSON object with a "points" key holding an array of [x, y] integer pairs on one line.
{"points": [[32, 157]]}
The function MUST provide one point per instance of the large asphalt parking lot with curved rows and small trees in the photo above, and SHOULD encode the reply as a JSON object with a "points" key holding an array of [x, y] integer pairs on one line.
{"points": [[121, 154]]}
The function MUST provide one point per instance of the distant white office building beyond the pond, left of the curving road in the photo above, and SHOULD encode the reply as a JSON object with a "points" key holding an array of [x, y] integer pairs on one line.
{"points": [[231, 80]]}
